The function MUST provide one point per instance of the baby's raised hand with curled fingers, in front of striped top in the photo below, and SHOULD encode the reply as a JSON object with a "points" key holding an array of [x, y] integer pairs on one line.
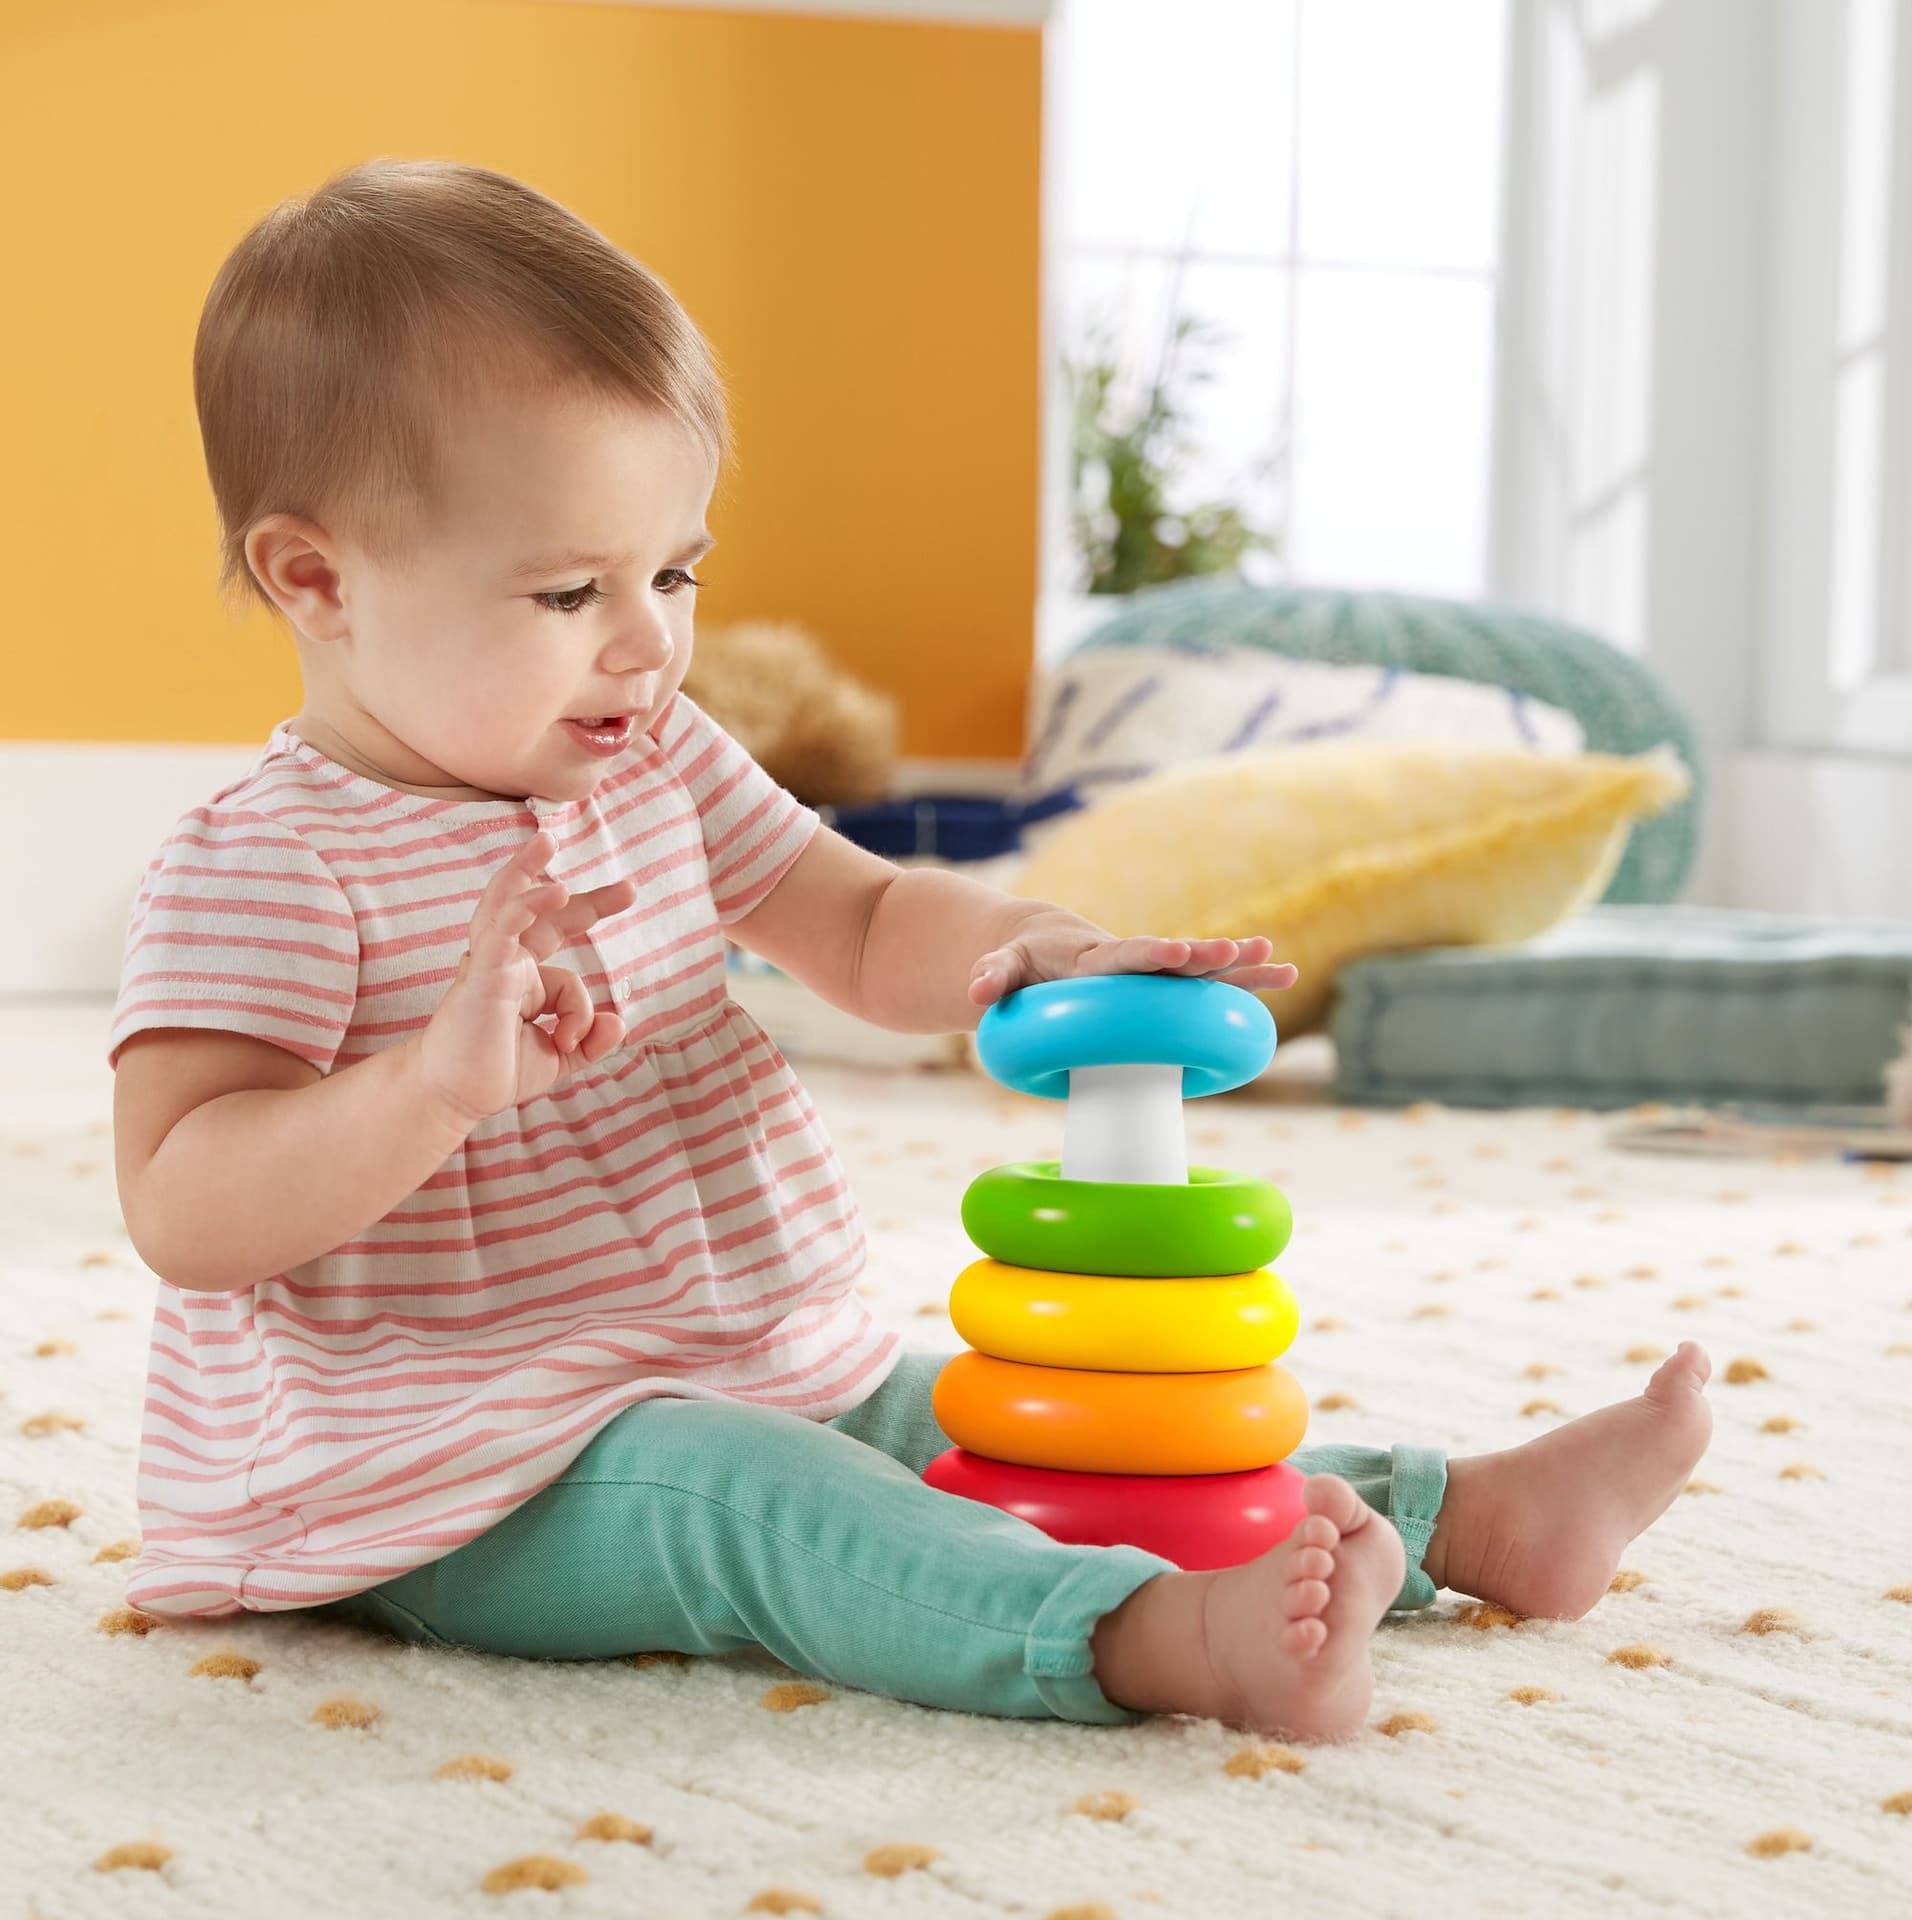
{"points": [[481, 1051]]}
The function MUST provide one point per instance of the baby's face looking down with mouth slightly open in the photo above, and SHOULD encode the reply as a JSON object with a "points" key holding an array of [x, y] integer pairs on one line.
{"points": [[556, 583]]}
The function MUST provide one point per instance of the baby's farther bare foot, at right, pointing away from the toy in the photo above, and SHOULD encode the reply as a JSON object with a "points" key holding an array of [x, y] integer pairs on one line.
{"points": [[1541, 1527]]}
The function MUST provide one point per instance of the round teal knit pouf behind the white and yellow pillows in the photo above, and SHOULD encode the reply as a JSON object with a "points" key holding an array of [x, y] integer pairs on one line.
{"points": [[1617, 700]]}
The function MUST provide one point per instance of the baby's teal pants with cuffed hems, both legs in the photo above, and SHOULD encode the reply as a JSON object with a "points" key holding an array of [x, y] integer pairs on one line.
{"points": [[713, 1525]]}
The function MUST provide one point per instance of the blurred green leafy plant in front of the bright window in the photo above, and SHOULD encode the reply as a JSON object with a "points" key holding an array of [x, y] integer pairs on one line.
{"points": [[1124, 471]]}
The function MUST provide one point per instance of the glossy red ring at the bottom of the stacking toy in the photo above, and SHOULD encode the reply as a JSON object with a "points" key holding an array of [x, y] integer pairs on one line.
{"points": [[1201, 1520]]}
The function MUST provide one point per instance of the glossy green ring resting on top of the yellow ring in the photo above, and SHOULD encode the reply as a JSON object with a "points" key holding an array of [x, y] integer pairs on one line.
{"points": [[1222, 1222]]}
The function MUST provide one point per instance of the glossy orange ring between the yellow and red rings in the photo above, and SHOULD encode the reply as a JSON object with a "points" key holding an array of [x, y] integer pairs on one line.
{"points": [[1153, 1424]]}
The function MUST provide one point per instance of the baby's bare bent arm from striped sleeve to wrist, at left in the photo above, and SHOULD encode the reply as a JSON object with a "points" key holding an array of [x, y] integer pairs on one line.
{"points": [[239, 1161]]}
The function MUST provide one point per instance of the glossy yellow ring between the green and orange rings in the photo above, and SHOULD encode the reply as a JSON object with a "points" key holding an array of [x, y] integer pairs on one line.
{"points": [[1084, 1320]]}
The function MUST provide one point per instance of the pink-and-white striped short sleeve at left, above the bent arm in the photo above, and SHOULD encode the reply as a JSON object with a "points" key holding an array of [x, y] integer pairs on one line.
{"points": [[241, 926]]}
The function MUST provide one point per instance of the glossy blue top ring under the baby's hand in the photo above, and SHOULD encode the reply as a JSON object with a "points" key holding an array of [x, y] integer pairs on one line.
{"points": [[1220, 1036]]}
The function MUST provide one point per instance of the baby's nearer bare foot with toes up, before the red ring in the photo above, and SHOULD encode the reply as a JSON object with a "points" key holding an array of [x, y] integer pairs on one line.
{"points": [[1278, 1644]]}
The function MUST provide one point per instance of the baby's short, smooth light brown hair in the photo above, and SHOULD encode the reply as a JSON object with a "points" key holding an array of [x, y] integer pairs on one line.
{"points": [[347, 327]]}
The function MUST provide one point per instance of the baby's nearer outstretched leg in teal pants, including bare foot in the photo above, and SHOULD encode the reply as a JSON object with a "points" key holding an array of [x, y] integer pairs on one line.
{"points": [[711, 1527]]}
